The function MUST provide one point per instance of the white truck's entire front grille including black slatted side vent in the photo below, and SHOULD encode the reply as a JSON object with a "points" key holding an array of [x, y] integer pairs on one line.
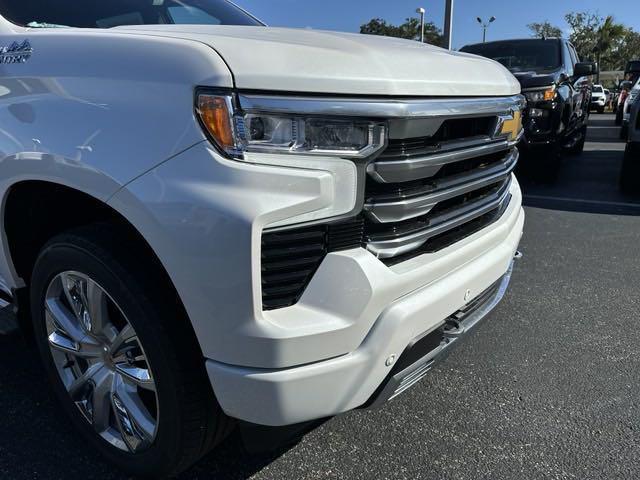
{"points": [[421, 195]]}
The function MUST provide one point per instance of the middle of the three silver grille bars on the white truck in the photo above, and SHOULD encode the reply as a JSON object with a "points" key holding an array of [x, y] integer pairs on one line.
{"points": [[385, 212]]}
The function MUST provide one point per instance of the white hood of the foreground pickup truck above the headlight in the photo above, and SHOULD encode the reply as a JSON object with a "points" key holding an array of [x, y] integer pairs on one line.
{"points": [[310, 61]]}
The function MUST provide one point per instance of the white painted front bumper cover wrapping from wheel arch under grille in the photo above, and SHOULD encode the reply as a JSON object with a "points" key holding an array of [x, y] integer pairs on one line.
{"points": [[328, 353]]}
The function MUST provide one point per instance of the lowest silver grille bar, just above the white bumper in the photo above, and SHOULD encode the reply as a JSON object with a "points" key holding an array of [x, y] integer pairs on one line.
{"points": [[398, 246]]}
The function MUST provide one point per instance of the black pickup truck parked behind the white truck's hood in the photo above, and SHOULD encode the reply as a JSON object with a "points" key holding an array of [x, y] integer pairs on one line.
{"points": [[557, 88]]}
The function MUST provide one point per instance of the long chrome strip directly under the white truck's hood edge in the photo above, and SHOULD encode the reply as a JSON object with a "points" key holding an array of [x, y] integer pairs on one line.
{"points": [[380, 108]]}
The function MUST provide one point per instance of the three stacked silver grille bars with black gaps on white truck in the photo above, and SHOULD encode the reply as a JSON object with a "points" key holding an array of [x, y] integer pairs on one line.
{"points": [[412, 203]]}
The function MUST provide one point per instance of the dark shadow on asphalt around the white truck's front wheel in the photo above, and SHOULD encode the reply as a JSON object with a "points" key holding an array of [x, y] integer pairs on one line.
{"points": [[36, 441]]}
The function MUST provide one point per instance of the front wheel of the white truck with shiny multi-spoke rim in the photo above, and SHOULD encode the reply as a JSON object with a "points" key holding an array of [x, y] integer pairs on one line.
{"points": [[120, 354]]}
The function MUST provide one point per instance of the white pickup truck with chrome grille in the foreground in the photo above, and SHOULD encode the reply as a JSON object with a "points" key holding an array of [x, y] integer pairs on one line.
{"points": [[205, 219]]}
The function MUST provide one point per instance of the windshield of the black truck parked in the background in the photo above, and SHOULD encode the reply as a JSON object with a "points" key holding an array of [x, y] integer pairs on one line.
{"points": [[521, 55]]}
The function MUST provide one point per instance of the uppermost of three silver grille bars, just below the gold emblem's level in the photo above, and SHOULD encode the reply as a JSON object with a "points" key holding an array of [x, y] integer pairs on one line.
{"points": [[395, 171]]}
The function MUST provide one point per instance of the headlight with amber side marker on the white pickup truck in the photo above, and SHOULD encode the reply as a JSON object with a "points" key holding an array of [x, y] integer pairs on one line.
{"points": [[238, 132]]}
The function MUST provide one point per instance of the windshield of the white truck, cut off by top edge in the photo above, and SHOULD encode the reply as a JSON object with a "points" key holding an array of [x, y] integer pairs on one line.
{"points": [[114, 13]]}
